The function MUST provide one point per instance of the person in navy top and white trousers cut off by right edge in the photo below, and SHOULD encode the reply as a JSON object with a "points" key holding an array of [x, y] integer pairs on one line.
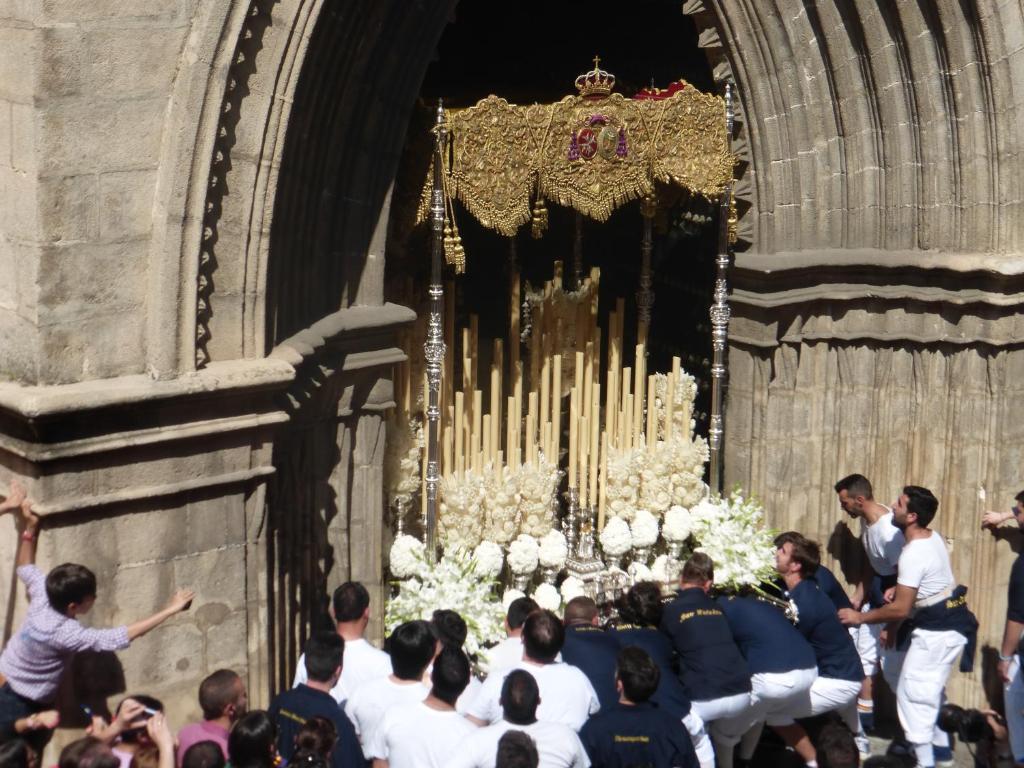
{"points": [[1013, 633]]}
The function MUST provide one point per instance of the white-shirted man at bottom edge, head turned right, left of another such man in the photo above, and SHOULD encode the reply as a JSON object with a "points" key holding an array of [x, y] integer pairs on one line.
{"points": [[430, 734]]}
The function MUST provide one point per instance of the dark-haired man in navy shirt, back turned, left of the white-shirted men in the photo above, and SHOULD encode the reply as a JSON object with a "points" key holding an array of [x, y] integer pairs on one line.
{"points": [[290, 710]]}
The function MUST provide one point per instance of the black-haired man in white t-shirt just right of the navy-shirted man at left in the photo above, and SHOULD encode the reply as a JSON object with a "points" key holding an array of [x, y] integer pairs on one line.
{"points": [[413, 648]]}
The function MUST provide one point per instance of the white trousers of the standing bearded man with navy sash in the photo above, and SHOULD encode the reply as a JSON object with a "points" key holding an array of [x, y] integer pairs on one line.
{"points": [[922, 680]]}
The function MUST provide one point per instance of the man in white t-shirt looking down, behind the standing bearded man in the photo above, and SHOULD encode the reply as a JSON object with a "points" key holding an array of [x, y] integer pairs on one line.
{"points": [[883, 543]]}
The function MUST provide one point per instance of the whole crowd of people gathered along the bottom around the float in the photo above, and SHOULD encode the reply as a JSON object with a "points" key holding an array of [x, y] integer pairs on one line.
{"points": [[701, 679]]}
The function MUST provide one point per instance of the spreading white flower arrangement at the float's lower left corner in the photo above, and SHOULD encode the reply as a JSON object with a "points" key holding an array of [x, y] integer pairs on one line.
{"points": [[454, 584]]}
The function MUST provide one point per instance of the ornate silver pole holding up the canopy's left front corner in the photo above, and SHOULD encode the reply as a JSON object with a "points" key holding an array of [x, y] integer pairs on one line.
{"points": [[434, 349]]}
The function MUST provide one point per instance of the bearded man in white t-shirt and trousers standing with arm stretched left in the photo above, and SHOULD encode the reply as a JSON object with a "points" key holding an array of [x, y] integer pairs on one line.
{"points": [[936, 623]]}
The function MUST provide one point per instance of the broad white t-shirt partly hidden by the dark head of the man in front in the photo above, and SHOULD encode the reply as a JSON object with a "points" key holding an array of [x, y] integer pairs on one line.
{"points": [[567, 696]]}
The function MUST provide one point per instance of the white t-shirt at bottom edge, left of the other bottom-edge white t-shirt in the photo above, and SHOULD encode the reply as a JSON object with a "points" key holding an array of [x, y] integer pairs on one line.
{"points": [[419, 737]]}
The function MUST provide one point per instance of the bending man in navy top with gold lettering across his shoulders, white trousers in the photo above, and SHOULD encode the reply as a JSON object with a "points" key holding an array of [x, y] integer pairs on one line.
{"points": [[713, 672]]}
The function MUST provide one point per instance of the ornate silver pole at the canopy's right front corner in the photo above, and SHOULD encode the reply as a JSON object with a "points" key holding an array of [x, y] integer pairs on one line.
{"points": [[720, 319]]}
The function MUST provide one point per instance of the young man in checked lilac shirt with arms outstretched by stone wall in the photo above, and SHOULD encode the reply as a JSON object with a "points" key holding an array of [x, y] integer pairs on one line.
{"points": [[35, 657]]}
